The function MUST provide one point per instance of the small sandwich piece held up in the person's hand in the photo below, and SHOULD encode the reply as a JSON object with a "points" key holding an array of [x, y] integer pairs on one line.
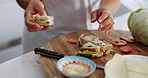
{"points": [[44, 20]]}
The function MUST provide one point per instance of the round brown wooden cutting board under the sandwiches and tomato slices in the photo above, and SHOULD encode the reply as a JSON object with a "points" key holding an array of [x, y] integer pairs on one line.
{"points": [[61, 45]]}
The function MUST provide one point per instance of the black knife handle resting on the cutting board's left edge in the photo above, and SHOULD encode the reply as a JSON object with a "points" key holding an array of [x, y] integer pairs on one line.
{"points": [[48, 52]]}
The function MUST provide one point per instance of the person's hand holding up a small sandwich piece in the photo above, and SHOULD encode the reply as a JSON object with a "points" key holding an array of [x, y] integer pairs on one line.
{"points": [[35, 7]]}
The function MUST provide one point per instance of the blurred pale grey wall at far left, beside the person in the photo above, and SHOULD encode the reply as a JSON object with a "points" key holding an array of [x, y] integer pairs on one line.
{"points": [[11, 22]]}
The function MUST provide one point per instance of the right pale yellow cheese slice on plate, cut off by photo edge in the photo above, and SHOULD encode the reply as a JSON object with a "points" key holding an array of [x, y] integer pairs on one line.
{"points": [[137, 69]]}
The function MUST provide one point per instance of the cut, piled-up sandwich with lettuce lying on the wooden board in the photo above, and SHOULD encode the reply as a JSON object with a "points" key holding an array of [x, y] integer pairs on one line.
{"points": [[91, 46]]}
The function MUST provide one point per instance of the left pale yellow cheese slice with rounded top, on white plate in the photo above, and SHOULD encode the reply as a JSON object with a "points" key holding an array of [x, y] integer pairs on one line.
{"points": [[117, 68]]}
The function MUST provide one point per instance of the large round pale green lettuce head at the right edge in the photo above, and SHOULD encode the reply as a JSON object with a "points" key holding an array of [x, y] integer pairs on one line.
{"points": [[138, 25]]}
